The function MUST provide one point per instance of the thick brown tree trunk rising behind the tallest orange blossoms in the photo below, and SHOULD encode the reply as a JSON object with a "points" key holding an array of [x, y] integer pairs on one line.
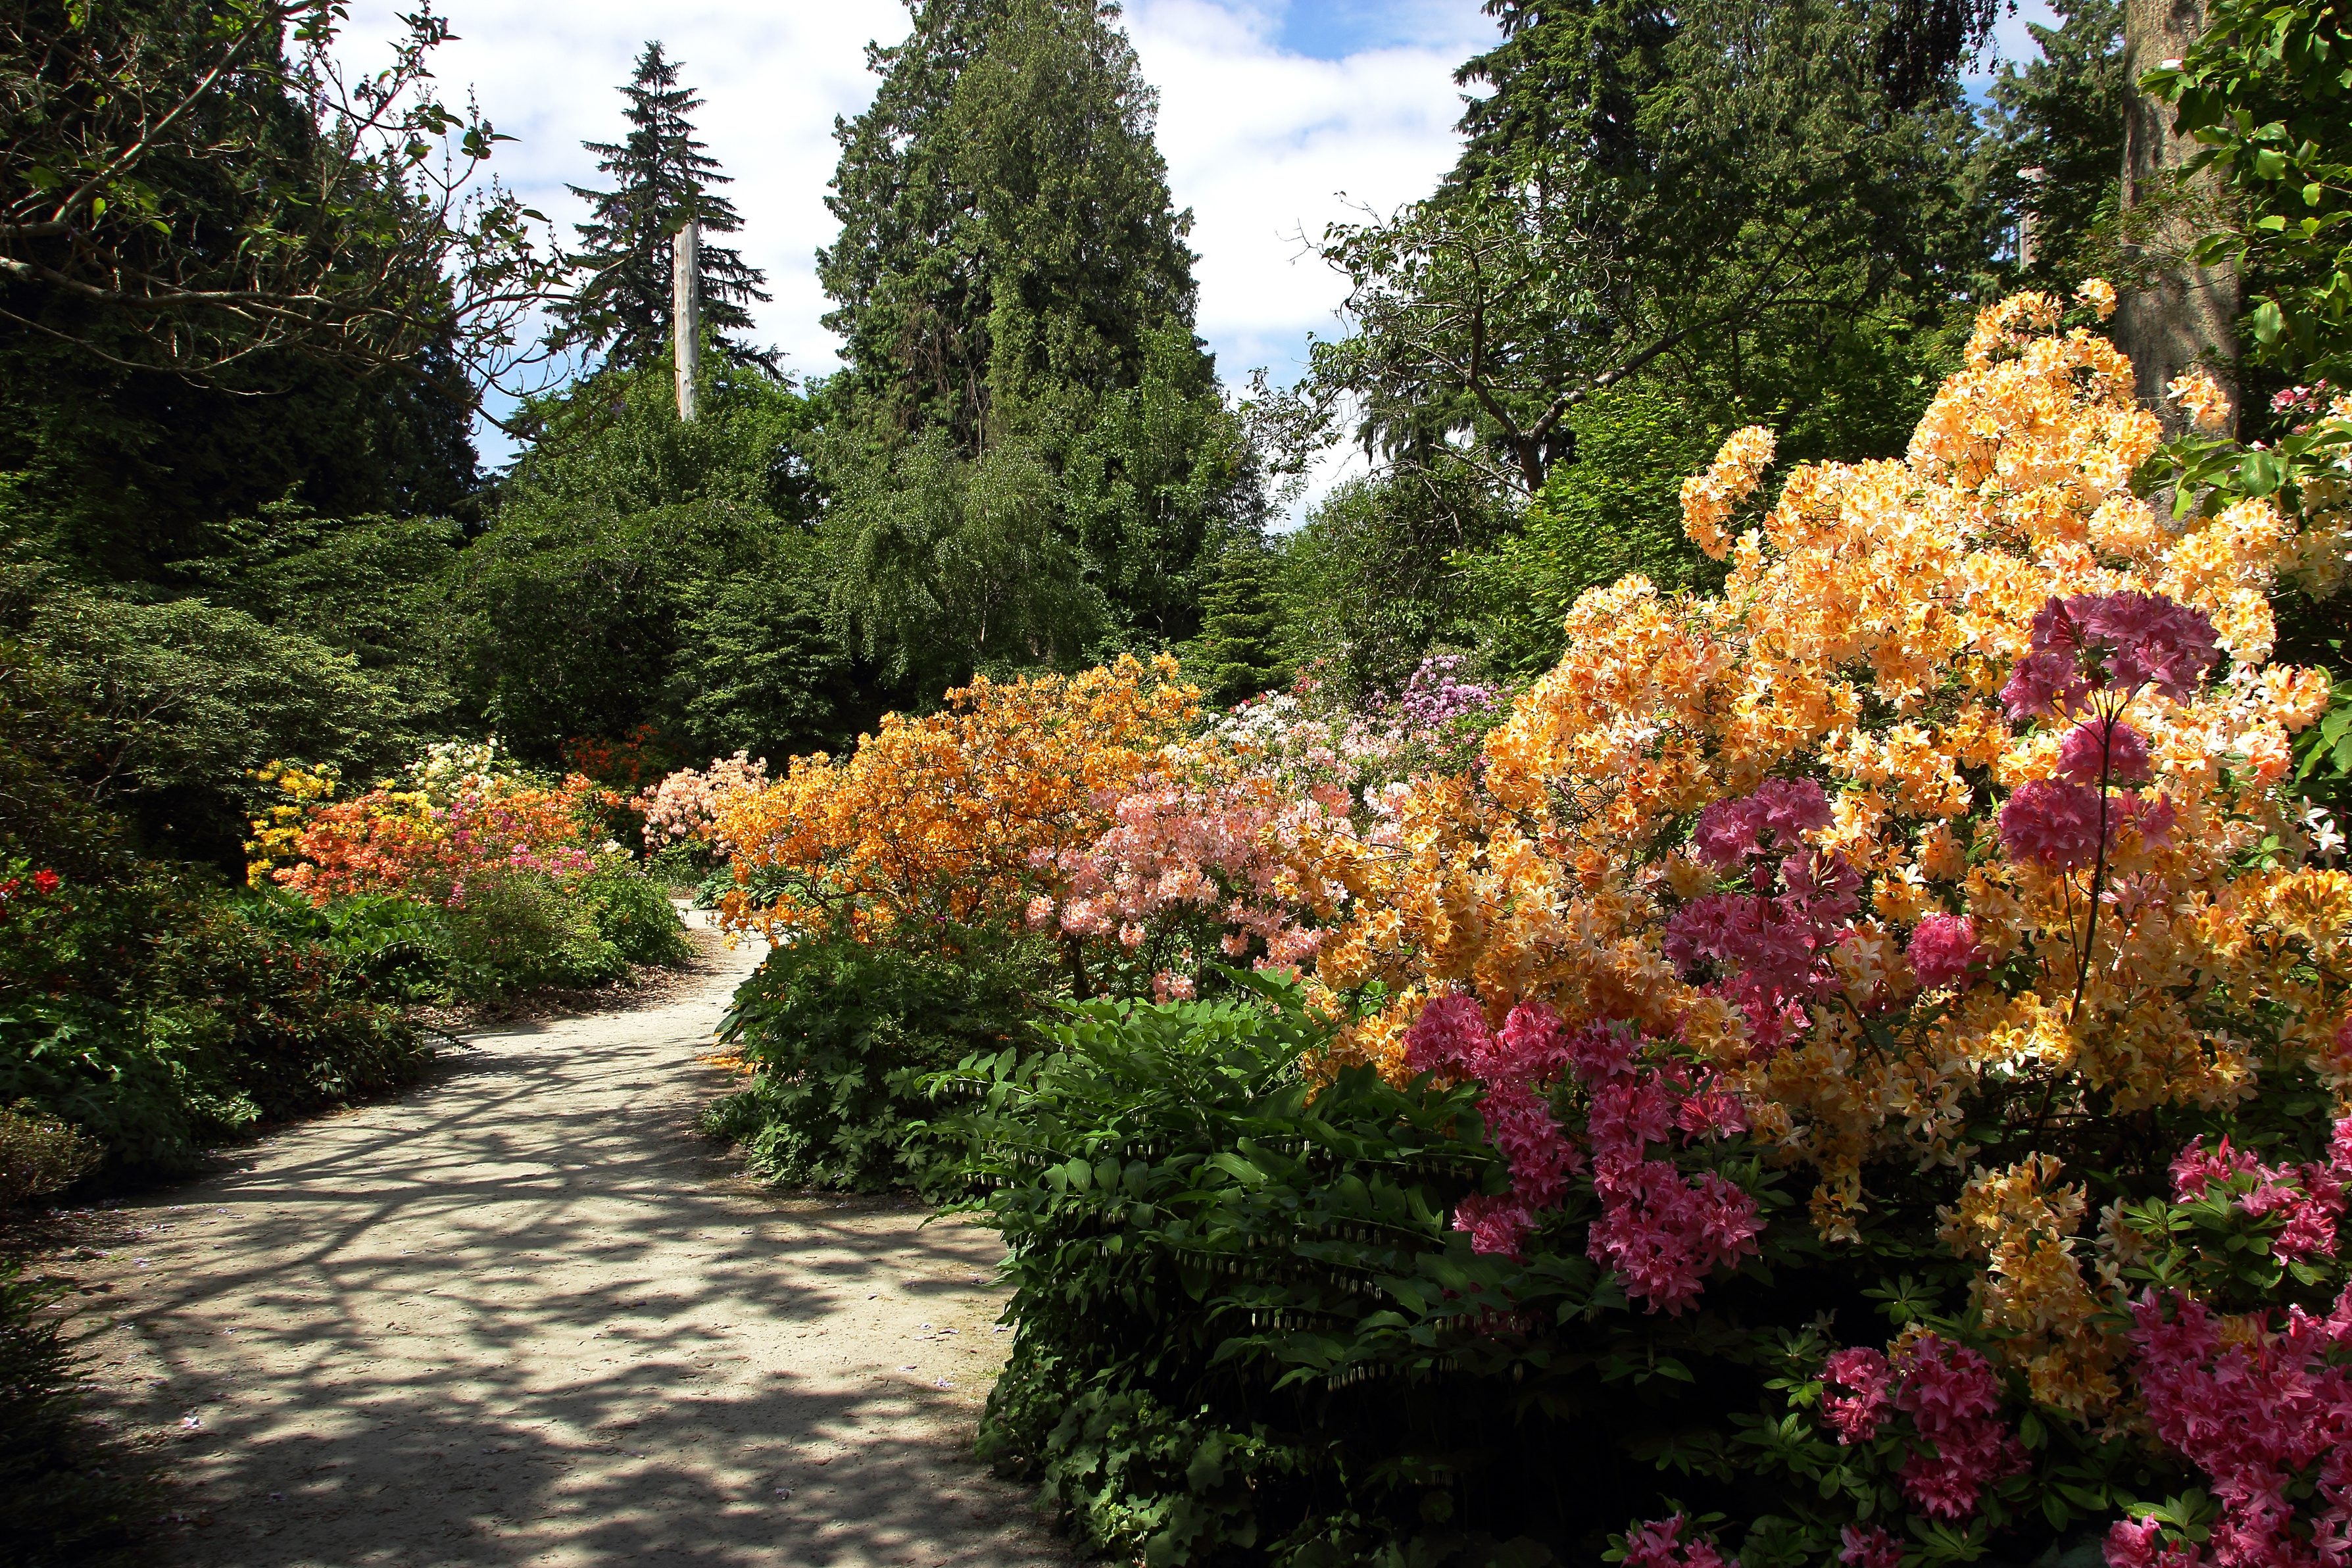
{"points": [[2174, 314]]}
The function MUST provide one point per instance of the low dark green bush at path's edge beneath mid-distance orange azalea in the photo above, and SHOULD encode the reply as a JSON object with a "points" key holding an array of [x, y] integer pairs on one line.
{"points": [[836, 1036]]}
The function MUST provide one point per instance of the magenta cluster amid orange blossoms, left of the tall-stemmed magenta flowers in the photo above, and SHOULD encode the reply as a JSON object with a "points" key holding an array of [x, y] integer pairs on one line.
{"points": [[1770, 951]]}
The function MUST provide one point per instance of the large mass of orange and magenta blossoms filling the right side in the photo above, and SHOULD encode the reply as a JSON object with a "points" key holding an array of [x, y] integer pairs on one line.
{"points": [[1949, 850]]}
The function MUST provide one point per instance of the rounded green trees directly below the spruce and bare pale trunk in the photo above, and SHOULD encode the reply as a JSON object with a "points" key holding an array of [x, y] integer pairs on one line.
{"points": [[653, 572]]}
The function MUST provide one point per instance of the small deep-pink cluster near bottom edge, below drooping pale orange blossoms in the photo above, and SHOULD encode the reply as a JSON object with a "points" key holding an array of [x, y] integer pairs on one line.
{"points": [[1953, 1400]]}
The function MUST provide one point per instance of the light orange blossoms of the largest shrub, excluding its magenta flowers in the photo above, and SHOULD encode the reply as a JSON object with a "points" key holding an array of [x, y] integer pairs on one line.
{"points": [[1862, 645]]}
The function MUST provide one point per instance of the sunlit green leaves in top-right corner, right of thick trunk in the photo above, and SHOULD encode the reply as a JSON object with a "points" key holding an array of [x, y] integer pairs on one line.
{"points": [[2264, 91]]}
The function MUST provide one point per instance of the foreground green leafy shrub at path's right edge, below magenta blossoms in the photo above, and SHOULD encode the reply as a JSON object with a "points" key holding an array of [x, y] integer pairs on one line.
{"points": [[1245, 1332]]}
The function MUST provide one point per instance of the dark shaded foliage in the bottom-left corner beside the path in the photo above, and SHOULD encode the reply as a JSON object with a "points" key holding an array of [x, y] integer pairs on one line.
{"points": [[65, 1499]]}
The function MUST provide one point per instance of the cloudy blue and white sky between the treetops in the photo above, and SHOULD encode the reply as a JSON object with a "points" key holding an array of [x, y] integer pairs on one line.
{"points": [[1276, 119]]}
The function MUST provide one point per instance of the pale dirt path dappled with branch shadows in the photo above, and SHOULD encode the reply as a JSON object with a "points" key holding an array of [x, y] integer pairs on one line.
{"points": [[523, 1315]]}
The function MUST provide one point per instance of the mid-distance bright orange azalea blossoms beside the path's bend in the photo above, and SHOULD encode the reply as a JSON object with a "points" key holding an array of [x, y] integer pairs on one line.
{"points": [[951, 819]]}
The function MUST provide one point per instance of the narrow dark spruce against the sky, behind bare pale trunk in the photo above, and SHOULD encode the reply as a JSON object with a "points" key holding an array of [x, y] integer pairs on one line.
{"points": [[662, 177]]}
